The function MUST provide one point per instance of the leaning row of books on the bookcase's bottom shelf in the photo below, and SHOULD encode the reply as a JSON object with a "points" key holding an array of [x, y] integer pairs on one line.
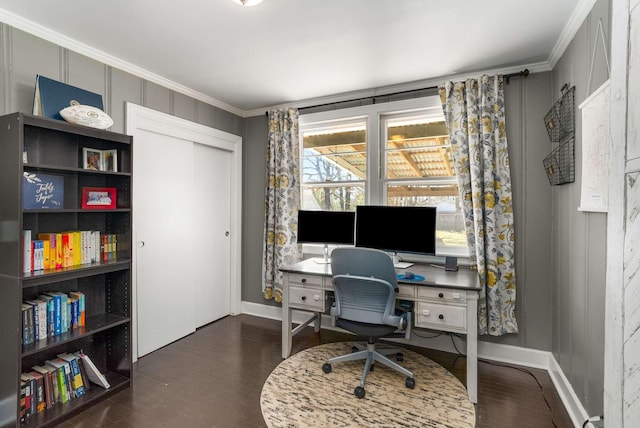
{"points": [[57, 381]]}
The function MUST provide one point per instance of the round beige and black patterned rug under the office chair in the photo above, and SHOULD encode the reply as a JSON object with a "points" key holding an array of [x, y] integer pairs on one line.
{"points": [[299, 394]]}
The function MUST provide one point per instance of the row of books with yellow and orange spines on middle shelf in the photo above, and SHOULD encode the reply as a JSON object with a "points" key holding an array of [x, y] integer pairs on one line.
{"points": [[65, 249]]}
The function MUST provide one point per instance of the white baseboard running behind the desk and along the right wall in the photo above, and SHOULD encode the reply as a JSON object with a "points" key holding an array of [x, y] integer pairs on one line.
{"points": [[486, 350]]}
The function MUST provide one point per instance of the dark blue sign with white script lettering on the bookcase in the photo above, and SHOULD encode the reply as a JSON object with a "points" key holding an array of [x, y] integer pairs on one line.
{"points": [[42, 191]]}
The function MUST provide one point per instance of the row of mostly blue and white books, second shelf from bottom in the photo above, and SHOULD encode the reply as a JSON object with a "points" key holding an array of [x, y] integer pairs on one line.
{"points": [[52, 314]]}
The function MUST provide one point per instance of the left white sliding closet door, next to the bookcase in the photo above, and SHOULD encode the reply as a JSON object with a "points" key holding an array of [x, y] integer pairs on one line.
{"points": [[163, 201]]}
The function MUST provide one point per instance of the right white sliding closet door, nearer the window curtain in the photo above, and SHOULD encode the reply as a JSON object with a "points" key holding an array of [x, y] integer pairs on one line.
{"points": [[212, 217]]}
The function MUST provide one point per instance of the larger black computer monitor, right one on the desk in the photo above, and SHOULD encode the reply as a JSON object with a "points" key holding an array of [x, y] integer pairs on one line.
{"points": [[397, 229]]}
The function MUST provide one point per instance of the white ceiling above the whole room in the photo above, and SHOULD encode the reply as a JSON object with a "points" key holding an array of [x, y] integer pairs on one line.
{"points": [[245, 59]]}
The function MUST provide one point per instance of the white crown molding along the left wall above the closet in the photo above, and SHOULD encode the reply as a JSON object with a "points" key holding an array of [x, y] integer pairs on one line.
{"points": [[83, 49]]}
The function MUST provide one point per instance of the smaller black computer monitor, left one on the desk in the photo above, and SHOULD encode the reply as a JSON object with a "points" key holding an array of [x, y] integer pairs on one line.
{"points": [[326, 227]]}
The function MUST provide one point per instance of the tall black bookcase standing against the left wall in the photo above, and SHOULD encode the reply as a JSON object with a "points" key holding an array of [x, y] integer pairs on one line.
{"points": [[56, 148]]}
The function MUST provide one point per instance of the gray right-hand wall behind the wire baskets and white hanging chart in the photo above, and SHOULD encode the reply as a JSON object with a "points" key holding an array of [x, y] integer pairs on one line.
{"points": [[579, 238]]}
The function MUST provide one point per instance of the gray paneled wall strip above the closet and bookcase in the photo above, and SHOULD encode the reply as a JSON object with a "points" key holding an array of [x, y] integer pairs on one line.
{"points": [[24, 56]]}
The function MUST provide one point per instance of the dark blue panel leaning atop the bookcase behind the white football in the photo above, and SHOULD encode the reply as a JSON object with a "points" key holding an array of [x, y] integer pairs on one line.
{"points": [[51, 96]]}
